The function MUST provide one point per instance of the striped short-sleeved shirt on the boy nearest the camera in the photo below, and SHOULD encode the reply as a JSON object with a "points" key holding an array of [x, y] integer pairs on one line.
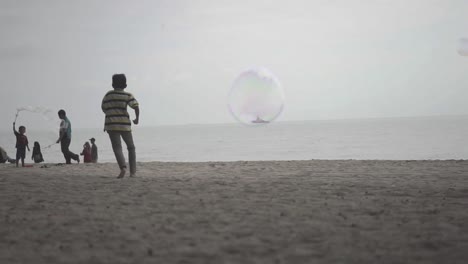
{"points": [[114, 105]]}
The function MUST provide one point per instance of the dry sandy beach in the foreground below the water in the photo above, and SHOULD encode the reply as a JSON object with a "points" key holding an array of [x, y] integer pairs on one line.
{"points": [[237, 212]]}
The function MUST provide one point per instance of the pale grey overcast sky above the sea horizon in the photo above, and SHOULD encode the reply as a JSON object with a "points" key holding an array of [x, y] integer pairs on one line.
{"points": [[335, 59]]}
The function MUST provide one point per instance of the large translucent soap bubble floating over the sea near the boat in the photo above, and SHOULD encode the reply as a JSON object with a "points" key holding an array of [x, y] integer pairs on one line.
{"points": [[256, 97]]}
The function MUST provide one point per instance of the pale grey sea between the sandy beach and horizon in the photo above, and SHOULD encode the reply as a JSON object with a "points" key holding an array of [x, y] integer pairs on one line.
{"points": [[387, 138]]}
